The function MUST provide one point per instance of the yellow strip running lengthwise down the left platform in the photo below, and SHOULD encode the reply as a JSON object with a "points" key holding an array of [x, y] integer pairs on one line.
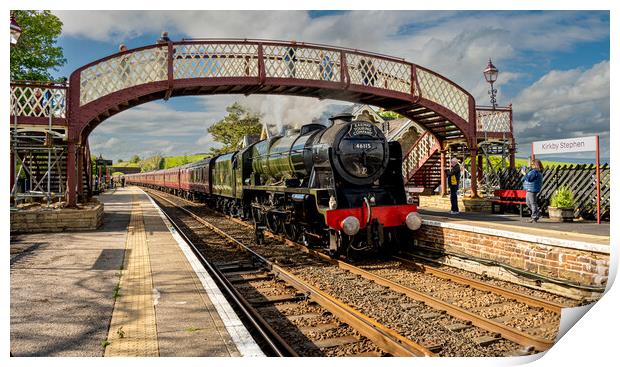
{"points": [[133, 330]]}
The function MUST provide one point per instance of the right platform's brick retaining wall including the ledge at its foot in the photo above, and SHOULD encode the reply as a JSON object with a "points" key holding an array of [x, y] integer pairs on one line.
{"points": [[580, 263]]}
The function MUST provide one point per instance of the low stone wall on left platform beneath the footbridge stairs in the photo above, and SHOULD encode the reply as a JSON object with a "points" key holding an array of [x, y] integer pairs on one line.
{"points": [[85, 217]]}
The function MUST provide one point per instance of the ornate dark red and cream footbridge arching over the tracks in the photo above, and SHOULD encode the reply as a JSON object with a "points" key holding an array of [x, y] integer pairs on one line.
{"points": [[120, 81]]}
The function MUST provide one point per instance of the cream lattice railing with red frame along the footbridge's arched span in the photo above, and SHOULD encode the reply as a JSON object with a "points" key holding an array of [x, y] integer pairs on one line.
{"points": [[214, 58]]}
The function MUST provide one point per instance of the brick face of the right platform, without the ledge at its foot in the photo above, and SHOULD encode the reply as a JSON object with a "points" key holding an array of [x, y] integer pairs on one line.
{"points": [[582, 263]]}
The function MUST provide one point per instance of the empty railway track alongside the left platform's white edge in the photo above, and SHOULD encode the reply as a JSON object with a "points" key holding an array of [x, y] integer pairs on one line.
{"points": [[282, 306]]}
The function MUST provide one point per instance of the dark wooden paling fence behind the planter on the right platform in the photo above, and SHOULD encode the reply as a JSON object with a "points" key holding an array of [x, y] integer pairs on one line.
{"points": [[580, 178]]}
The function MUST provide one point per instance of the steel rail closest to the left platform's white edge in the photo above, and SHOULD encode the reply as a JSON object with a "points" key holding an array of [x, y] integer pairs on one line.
{"points": [[278, 346]]}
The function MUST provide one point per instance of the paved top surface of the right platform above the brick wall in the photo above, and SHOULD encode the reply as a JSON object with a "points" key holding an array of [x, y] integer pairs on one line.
{"points": [[586, 231]]}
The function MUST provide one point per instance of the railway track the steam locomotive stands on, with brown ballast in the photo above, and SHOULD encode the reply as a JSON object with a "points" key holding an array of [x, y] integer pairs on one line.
{"points": [[484, 320]]}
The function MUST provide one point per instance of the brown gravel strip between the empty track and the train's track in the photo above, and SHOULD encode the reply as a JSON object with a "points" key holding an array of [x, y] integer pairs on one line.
{"points": [[394, 310]]}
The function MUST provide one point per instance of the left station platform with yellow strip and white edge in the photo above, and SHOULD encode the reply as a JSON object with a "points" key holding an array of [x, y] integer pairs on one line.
{"points": [[131, 288]]}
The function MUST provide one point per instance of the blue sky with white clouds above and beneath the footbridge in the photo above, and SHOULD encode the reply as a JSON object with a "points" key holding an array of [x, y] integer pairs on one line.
{"points": [[554, 66]]}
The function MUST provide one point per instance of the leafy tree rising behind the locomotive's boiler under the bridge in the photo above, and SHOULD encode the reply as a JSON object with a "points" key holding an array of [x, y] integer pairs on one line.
{"points": [[231, 129]]}
